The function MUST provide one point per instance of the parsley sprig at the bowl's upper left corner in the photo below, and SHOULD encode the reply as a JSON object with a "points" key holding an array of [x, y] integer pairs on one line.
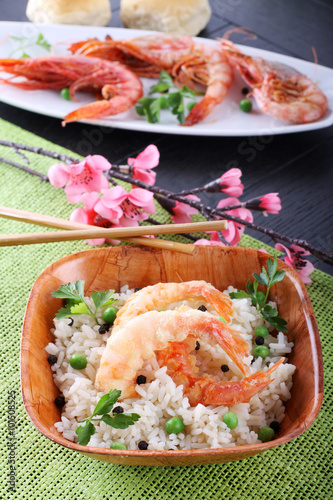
{"points": [[77, 304]]}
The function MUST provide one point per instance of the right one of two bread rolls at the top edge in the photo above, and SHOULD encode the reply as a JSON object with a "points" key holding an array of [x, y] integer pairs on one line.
{"points": [[182, 17]]}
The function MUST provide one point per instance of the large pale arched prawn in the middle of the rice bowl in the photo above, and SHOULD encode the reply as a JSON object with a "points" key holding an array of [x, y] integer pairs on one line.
{"points": [[128, 347]]}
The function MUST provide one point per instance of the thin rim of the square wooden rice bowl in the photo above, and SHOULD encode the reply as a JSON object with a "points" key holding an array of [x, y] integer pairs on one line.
{"points": [[224, 451]]}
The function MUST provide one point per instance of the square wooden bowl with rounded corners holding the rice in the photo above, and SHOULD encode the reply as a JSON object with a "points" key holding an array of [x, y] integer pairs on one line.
{"points": [[112, 268]]}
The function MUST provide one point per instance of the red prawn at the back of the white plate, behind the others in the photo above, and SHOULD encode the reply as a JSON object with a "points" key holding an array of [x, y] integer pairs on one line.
{"points": [[146, 55]]}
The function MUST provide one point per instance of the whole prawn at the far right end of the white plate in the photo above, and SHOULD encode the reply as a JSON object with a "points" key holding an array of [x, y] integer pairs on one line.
{"points": [[279, 90]]}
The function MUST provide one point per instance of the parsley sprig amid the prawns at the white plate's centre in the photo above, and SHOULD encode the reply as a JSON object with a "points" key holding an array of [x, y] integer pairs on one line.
{"points": [[151, 107]]}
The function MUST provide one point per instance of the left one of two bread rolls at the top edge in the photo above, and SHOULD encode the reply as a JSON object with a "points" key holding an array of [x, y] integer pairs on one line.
{"points": [[89, 12]]}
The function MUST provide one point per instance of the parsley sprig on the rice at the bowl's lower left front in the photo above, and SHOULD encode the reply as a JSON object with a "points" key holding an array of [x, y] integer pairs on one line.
{"points": [[102, 409]]}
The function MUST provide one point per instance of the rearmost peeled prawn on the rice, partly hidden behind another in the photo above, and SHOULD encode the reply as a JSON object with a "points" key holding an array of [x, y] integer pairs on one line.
{"points": [[161, 295]]}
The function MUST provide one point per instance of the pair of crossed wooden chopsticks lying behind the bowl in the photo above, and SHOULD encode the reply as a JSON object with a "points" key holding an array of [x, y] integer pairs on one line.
{"points": [[78, 231]]}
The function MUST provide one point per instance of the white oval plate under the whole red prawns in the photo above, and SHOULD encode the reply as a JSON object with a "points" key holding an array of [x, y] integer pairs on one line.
{"points": [[226, 119]]}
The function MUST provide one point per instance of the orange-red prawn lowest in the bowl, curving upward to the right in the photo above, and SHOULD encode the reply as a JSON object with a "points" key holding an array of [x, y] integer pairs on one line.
{"points": [[205, 390]]}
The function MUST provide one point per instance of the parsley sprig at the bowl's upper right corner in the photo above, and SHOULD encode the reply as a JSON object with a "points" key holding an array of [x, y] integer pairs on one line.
{"points": [[267, 278]]}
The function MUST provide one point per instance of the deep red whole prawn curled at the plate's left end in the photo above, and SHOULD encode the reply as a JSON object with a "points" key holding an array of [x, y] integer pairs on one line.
{"points": [[117, 86]]}
